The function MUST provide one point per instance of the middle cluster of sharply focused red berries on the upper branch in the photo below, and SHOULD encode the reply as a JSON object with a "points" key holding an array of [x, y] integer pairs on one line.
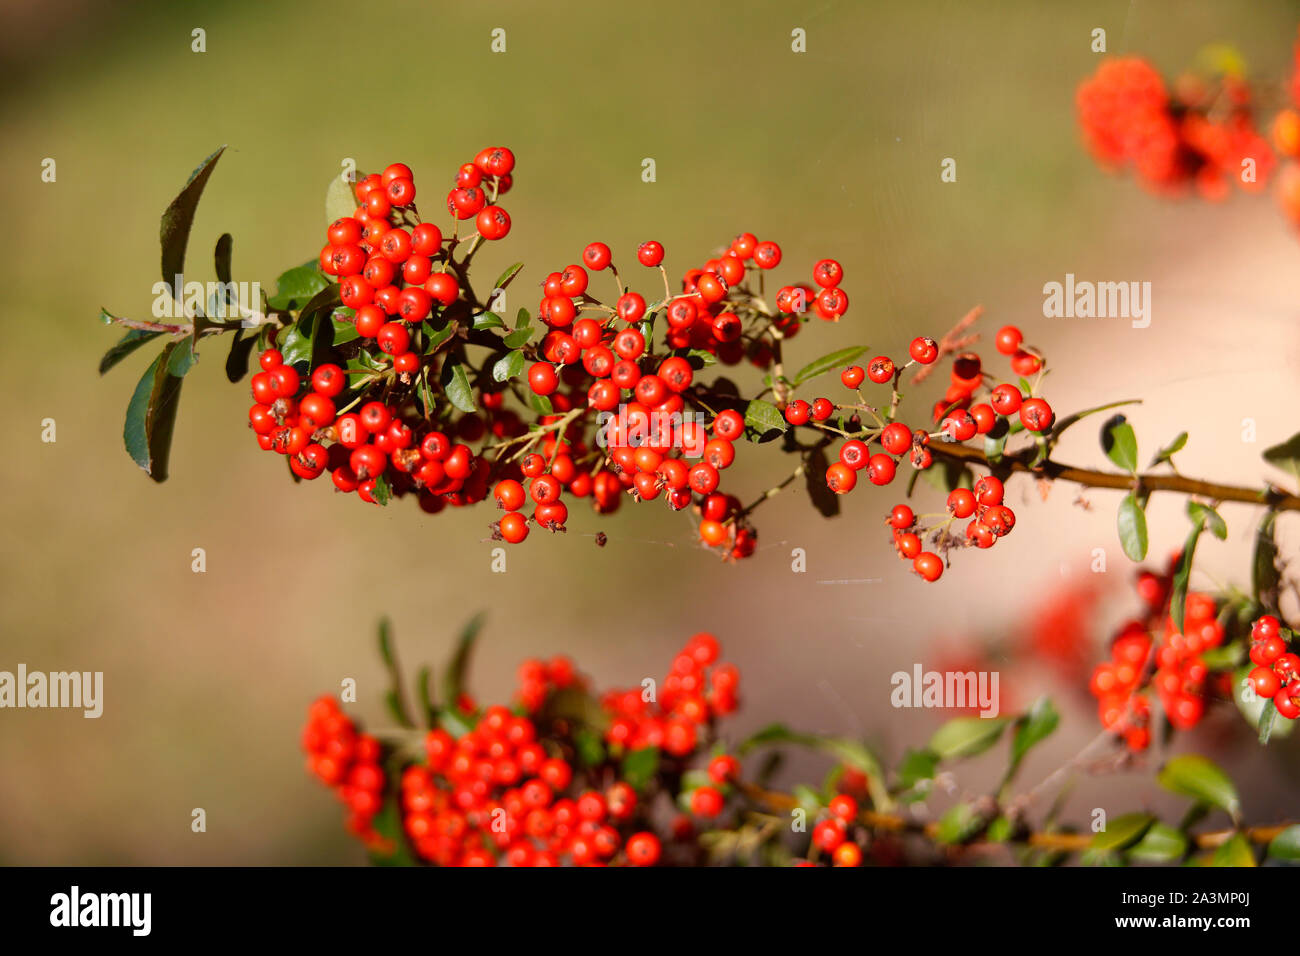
{"points": [[652, 445]]}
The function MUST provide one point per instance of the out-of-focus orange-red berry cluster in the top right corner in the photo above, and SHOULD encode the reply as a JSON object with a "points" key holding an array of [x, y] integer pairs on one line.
{"points": [[1199, 135]]}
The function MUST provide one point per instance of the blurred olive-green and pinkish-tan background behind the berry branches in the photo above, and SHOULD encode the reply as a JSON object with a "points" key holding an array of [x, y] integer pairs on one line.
{"points": [[835, 152]]}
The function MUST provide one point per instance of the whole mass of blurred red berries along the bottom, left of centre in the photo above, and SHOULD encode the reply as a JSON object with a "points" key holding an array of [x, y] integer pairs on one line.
{"points": [[514, 790]]}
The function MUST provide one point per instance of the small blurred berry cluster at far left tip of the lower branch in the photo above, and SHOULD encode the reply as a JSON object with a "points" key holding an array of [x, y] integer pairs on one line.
{"points": [[349, 763]]}
